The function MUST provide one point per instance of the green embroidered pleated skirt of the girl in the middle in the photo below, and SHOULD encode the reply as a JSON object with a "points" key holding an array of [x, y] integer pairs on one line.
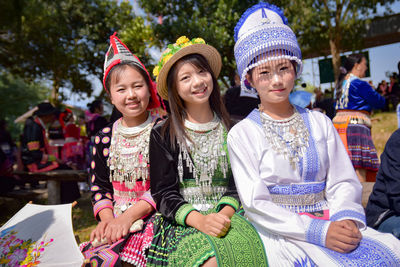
{"points": [[176, 245]]}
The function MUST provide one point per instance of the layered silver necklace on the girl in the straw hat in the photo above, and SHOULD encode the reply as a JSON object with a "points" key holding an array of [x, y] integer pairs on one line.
{"points": [[206, 148]]}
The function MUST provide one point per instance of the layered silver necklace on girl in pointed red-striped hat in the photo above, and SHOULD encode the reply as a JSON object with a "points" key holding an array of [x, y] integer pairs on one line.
{"points": [[129, 153]]}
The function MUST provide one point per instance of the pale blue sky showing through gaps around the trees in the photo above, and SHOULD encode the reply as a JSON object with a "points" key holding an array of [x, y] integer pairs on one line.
{"points": [[383, 59]]}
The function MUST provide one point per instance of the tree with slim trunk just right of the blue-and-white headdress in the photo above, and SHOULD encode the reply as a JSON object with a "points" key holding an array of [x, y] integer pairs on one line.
{"points": [[333, 24]]}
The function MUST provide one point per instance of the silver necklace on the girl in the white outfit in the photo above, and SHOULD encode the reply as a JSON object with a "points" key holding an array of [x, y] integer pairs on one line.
{"points": [[288, 137]]}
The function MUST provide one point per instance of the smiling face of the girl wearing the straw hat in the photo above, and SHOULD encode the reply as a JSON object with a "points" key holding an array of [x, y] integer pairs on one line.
{"points": [[194, 85]]}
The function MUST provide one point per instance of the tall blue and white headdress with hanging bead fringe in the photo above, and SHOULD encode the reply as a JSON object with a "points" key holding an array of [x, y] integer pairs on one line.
{"points": [[262, 35]]}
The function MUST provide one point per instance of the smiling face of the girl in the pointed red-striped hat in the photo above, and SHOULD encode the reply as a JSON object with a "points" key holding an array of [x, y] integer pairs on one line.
{"points": [[129, 93]]}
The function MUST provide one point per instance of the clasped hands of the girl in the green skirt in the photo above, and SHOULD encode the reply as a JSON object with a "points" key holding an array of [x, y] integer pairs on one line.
{"points": [[214, 224]]}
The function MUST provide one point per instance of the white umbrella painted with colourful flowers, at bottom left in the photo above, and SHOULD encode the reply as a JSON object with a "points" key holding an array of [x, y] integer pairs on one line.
{"points": [[40, 235]]}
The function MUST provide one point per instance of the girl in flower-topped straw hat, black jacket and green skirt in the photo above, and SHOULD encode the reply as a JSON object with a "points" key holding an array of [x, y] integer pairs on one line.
{"points": [[192, 183]]}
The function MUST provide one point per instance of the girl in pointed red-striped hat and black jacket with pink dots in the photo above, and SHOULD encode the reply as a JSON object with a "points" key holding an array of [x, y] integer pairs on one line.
{"points": [[119, 174]]}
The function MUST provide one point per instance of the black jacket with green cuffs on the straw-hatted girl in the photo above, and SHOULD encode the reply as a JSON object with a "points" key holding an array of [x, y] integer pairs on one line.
{"points": [[176, 200]]}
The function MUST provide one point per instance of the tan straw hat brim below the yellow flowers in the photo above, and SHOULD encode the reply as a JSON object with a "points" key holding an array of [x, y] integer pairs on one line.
{"points": [[208, 52]]}
